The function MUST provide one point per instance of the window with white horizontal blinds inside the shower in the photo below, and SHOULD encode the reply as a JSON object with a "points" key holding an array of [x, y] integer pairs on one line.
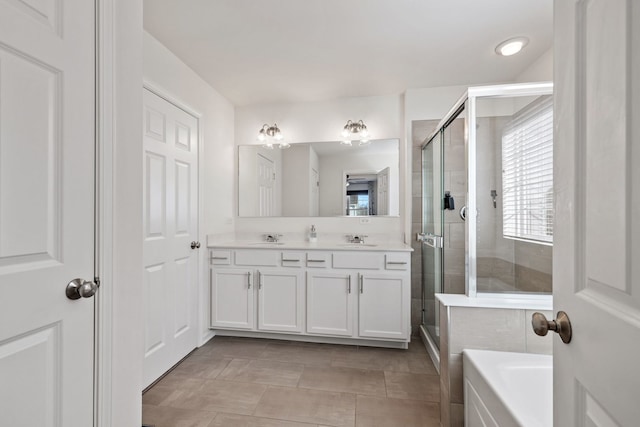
{"points": [[527, 173]]}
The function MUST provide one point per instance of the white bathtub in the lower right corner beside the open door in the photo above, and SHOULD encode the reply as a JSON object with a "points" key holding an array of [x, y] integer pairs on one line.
{"points": [[507, 389]]}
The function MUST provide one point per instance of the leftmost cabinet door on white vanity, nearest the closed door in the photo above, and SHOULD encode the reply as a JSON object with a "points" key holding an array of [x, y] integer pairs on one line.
{"points": [[232, 298]]}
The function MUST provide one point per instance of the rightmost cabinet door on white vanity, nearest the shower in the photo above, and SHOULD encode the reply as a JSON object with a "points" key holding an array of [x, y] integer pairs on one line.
{"points": [[383, 306]]}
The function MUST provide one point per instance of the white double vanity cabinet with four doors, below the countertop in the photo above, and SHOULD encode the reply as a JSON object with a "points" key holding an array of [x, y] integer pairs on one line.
{"points": [[342, 294]]}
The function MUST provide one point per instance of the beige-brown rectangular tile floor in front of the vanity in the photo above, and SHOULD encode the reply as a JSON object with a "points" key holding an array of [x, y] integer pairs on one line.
{"points": [[245, 382]]}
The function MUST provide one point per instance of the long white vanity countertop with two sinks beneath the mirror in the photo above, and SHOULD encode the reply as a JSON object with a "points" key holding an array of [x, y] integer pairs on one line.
{"points": [[320, 245]]}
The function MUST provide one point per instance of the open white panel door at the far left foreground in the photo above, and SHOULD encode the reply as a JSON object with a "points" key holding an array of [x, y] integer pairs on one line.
{"points": [[46, 211]]}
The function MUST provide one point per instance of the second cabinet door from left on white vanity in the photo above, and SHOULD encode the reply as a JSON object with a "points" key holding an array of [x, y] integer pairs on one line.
{"points": [[280, 299]]}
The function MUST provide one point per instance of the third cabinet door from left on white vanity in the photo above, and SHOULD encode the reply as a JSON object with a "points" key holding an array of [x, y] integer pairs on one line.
{"points": [[329, 303]]}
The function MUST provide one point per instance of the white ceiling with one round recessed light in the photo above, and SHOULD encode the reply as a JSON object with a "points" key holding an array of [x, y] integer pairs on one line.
{"points": [[281, 51]]}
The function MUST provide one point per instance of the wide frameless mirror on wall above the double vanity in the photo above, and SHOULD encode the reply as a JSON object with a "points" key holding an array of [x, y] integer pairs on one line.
{"points": [[319, 179]]}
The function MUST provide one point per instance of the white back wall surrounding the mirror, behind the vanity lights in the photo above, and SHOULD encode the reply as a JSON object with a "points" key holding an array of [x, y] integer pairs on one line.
{"points": [[323, 121]]}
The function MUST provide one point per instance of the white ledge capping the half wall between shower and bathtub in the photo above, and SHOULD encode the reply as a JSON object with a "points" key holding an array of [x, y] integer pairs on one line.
{"points": [[513, 301]]}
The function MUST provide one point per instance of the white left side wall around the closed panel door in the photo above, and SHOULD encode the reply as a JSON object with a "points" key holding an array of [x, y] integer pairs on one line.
{"points": [[169, 76]]}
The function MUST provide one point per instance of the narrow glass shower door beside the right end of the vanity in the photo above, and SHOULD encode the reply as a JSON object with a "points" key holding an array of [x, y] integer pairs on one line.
{"points": [[432, 226]]}
